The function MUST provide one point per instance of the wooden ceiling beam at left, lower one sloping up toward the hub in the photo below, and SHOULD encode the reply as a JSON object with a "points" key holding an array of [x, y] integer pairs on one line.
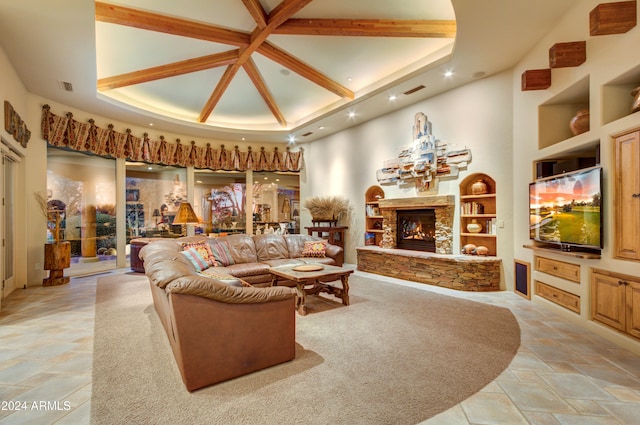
{"points": [[169, 70]]}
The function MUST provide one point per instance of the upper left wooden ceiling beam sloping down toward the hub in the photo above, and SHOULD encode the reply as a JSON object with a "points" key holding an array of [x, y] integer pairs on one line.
{"points": [[161, 23]]}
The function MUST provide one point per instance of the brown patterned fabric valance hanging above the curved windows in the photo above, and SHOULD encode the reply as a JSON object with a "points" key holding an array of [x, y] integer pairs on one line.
{"points": [[65, 132]]}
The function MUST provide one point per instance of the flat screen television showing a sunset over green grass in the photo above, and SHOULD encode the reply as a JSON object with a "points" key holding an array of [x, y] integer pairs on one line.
{"points": [[566, 209]]}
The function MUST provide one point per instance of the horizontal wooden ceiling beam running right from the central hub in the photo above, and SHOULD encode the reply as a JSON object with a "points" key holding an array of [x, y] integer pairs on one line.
{"points": [[368, 28]]}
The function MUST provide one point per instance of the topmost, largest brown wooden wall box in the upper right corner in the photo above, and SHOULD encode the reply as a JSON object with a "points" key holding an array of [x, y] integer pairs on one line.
{"points": [[612, 18]]}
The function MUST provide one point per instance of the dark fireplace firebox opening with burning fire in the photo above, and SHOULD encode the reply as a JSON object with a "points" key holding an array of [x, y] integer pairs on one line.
{"points": [[417, 229]]}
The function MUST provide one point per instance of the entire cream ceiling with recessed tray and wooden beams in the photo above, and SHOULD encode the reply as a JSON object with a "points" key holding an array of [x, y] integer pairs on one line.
{"points": [[262, 70]]}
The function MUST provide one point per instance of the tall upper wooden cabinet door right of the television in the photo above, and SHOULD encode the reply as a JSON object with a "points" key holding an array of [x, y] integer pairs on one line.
{"points": [[627, 196]]}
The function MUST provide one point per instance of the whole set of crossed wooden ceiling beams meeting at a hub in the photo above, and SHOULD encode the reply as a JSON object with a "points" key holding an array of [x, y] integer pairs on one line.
{"points": [[278, 21]]}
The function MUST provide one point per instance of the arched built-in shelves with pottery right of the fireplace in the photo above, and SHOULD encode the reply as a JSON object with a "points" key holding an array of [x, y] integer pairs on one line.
{"points": [[478, 208]]}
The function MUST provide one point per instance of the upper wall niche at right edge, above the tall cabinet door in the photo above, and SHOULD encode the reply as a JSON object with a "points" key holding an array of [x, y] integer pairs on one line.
{"points": [[616, 95]]}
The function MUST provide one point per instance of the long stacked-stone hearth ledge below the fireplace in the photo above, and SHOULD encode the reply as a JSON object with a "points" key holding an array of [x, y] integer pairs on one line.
{"points": [[461, 272]]}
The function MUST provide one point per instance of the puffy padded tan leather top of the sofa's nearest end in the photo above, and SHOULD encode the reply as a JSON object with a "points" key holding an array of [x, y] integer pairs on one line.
{"points": [[222, 292]]}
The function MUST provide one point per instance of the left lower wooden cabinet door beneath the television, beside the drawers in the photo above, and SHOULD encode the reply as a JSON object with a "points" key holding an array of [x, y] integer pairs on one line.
{"points": [[608, 300]]}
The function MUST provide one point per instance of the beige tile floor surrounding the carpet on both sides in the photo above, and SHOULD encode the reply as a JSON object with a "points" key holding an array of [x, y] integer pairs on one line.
{"points": [[562, 374]]}
